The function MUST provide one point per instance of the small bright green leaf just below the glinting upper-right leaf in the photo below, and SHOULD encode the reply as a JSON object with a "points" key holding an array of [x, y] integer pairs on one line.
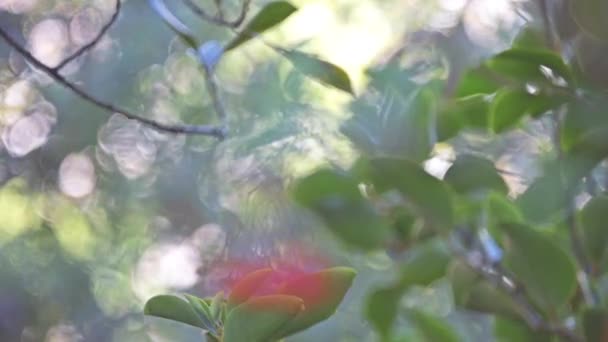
{"points": [[510, 105]]}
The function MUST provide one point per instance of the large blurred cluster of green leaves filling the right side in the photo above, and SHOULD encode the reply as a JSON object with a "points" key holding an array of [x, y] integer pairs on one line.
{"points": [[387, 198]]}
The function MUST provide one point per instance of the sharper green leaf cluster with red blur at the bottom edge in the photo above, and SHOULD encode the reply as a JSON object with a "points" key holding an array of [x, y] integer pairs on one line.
{"points": [[295, 304]]}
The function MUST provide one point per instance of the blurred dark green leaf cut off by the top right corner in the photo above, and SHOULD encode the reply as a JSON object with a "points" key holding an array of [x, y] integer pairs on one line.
{"points": [[590, 15]]}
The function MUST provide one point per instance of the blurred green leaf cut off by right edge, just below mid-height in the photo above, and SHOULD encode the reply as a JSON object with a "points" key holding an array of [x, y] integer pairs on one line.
{"points": [[593, 223]]}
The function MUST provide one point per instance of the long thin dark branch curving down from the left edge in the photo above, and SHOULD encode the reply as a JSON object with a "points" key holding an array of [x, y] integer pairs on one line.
{"points": [[210, 130]]}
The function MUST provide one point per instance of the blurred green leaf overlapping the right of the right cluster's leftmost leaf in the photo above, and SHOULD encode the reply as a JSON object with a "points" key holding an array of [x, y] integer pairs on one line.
{"points": [[427, 194]]}
